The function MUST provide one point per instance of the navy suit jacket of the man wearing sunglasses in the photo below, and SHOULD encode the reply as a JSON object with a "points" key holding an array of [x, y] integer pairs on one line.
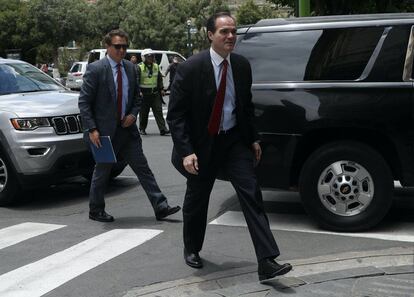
{"points": [[97, 98]]}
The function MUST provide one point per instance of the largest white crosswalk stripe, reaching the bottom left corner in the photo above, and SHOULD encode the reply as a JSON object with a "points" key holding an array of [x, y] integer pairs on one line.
{"points": [[40, 277]]}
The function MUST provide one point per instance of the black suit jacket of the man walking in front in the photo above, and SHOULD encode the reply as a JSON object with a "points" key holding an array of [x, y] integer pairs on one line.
{"points": [[192, 98]]}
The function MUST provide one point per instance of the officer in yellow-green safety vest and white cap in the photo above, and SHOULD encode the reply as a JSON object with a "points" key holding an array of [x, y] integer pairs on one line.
{"points": [[152, 90]]}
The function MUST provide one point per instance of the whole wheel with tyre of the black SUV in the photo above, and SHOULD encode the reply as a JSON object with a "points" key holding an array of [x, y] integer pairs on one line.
{"points": [[346, 186]]}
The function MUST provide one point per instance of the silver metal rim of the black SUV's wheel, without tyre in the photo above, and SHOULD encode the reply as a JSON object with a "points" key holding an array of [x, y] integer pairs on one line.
{"points": [[345, 188]]}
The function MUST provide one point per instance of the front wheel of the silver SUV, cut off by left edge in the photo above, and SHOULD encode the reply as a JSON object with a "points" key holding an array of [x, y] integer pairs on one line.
{"points": [[8, 182]]}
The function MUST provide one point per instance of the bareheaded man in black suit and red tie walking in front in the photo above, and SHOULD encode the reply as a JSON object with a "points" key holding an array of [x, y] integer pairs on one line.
{"points": [[210, 119]]}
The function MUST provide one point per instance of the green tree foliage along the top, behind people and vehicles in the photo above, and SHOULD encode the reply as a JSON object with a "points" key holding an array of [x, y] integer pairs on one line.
{"points": [[39, 27]]}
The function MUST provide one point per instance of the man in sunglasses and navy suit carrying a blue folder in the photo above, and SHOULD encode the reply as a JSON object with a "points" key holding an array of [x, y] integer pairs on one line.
{"points": [[109, 103]]}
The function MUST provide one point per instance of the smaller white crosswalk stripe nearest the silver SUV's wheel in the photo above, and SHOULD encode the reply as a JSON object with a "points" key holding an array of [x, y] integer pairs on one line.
{"points": [[18, 233]]}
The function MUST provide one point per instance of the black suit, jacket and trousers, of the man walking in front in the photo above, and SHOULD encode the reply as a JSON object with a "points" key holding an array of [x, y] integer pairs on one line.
{"points": [[191, 101]]}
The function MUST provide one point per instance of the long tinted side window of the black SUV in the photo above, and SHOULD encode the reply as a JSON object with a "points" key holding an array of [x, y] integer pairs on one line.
{"points": [[331, 54]]}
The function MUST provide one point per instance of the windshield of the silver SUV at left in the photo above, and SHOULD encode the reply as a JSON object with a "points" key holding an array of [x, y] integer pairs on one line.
{"points": [[23, 77]]}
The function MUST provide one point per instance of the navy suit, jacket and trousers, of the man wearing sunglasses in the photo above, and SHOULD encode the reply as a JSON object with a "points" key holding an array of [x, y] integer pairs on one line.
{"points": [[97, 104]]}
